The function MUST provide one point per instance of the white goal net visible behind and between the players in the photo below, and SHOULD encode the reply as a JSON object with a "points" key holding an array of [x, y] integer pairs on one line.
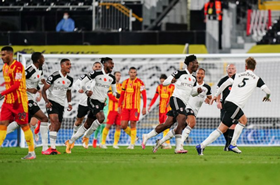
{"points": [[263, 118]]}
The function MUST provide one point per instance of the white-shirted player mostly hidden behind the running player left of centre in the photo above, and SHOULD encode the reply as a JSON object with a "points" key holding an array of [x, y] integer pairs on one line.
{"points": [[83, 106]]}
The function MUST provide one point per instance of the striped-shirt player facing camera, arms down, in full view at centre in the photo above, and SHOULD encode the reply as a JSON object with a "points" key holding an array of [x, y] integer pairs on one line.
{"points": [[132, 89]]}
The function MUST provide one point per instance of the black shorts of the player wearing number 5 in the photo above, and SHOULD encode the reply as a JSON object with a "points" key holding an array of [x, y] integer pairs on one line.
{"points": [[232, 114]]}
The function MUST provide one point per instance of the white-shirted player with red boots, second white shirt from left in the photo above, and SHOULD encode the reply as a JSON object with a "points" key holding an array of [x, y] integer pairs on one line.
{"points": [[59, 85]]}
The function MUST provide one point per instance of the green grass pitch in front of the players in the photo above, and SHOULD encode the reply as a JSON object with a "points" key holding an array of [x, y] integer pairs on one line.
{"points": [[256, 166]]}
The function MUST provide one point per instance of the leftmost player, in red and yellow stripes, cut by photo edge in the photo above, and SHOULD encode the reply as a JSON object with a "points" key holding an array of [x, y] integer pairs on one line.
{"points": [[15, 106]]}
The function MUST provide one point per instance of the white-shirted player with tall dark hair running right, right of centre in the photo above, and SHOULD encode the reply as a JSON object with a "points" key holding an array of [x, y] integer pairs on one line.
{"points": [[184, 88]]}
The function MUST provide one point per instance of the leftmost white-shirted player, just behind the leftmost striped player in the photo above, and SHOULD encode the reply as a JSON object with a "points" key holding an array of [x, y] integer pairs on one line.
{"points": [[34, 76]]}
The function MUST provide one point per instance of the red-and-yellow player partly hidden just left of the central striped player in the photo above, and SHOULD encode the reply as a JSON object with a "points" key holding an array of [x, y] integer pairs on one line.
{"points": [[113, 115]]}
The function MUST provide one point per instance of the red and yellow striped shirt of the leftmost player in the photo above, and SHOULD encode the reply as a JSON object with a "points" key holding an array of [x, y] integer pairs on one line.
{"points": [[14, 76]]}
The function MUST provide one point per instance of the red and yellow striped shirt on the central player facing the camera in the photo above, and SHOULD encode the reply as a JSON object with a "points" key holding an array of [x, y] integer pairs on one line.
{"points": [[132, 97]]}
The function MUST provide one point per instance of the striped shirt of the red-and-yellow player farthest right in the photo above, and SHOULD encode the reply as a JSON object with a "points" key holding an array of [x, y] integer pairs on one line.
{"points": [[165, 92]]}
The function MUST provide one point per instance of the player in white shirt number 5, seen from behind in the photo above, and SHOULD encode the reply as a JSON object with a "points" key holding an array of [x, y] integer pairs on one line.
{"points": [[243, 85]]}
